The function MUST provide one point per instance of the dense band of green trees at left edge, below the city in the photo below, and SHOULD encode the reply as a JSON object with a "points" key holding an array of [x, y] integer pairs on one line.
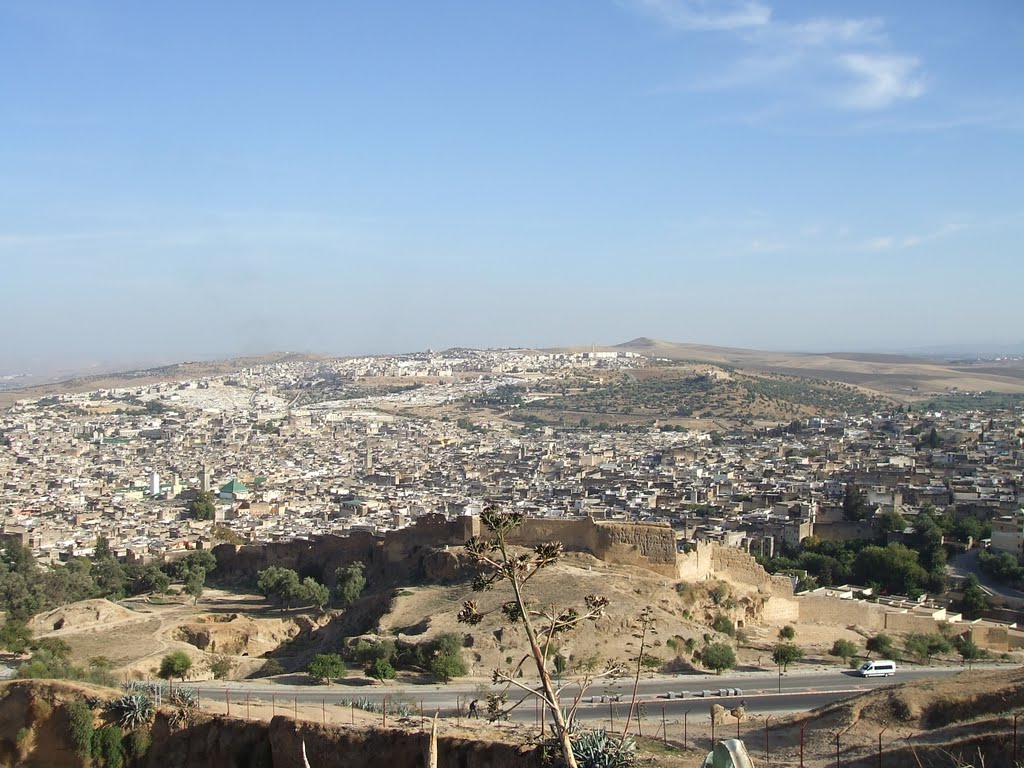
{"points": [[27, 589]]}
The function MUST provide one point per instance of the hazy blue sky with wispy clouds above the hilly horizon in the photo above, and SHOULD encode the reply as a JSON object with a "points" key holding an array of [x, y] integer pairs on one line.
{"points": [[192, 180]]}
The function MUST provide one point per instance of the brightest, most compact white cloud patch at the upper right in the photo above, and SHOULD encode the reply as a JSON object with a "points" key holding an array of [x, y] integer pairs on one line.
{"points": [[880, 80]]}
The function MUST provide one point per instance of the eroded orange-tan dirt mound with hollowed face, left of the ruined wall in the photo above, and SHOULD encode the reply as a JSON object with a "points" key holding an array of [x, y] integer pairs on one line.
{"points": [[241, 636]]}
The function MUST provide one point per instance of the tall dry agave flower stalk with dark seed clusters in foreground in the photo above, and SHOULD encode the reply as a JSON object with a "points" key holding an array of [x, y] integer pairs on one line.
{"points": [[500, 565]]}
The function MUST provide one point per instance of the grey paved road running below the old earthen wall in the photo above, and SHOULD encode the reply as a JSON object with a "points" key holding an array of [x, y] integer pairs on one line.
{"points": [[764, 694]]}
